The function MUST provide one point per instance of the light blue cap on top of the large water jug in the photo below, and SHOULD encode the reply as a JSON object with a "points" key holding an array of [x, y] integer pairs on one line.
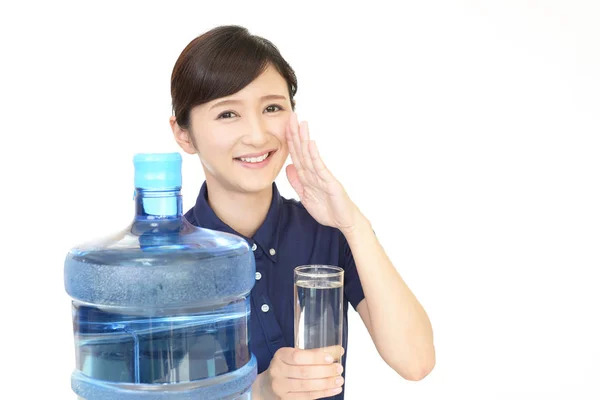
{"points": [[157, 171]]}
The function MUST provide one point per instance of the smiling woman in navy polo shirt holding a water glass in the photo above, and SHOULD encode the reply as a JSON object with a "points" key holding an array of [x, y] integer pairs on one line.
{"points": [[233, 102]]}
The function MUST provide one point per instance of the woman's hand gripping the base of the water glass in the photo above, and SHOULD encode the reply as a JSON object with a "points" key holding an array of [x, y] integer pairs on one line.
{"points": [[302, 374]]}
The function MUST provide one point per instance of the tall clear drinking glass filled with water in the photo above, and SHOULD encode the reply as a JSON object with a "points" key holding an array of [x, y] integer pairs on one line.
{"points": [[318, 308]]}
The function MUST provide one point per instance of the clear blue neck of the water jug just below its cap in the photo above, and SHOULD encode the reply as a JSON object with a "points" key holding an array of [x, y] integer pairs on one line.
{"points": [[158, 204]]}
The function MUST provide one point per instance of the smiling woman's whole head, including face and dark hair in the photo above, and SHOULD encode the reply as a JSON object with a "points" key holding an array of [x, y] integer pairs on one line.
{"points": [[232, 98]]}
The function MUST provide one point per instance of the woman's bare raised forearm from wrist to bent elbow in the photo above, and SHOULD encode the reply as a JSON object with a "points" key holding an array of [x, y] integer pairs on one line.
{"points": [[400, 327]]}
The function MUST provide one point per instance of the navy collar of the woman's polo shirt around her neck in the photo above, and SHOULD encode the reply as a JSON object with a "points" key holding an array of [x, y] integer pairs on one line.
{"points": [[267, 235]]}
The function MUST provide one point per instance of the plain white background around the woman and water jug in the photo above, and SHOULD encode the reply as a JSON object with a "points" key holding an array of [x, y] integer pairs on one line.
{"points": [[467, 131]]}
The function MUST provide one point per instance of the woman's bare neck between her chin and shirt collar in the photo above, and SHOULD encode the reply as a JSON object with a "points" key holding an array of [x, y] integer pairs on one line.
{"points": [[243, 212]]}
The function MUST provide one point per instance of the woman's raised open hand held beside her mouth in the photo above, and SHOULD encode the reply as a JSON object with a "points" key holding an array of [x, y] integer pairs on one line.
{"points": [[322, 195]]}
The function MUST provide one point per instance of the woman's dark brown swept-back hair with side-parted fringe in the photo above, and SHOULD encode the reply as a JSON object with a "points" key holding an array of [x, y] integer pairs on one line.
{"points": [[220, 63]]}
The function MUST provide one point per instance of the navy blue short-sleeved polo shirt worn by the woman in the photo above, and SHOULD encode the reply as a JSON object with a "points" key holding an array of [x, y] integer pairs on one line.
{"points": [[288, 237]]}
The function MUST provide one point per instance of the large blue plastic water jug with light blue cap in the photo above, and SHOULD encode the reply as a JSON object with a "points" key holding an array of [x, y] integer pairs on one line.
{"points": [[161, 309]]}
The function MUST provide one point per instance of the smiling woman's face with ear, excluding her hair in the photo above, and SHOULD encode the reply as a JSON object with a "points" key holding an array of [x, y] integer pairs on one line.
{"points": [[240, 139]]}
